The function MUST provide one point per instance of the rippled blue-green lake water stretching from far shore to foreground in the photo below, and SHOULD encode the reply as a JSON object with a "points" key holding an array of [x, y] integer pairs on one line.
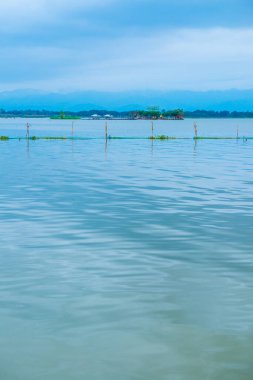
{"points": [[131, 260]]}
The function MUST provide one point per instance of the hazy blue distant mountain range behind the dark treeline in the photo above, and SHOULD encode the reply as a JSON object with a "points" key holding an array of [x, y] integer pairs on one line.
{"points": [[231, 100]]}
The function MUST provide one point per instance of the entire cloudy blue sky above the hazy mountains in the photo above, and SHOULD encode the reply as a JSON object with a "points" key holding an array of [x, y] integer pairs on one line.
{"points": [[121, 45]]}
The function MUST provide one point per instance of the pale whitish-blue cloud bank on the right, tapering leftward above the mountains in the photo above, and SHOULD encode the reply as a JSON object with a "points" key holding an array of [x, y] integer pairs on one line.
{"points": [[184, 59]]}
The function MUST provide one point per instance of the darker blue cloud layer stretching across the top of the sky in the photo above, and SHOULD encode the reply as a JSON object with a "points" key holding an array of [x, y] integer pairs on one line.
{"points": [[61, 18]]}
